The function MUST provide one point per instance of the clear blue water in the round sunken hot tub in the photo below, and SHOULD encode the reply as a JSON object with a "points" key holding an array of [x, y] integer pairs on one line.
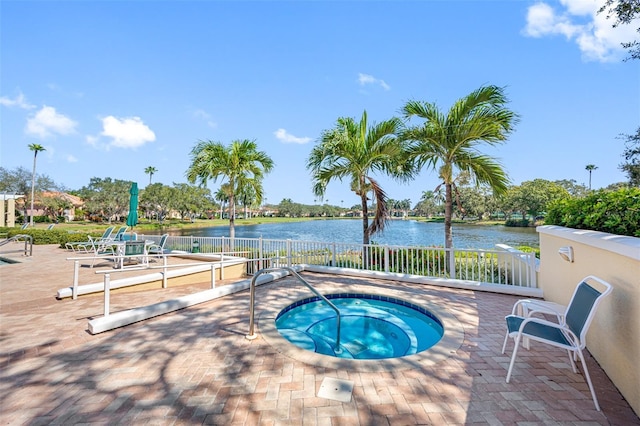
{"points": [[372, 326]]}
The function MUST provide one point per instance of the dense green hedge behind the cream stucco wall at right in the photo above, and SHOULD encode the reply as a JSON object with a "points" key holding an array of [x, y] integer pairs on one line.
{"points": [[615, 212]]}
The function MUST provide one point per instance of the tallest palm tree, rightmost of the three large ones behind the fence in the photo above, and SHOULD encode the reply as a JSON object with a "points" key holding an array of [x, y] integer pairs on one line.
{"points": [[450, 142]]}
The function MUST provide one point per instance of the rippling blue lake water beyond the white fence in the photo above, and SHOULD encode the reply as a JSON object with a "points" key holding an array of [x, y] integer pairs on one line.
{"points": [[398, 232]]}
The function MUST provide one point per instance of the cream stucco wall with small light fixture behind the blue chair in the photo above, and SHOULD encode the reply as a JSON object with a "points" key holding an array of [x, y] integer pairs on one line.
{"points": [[614, 336]]}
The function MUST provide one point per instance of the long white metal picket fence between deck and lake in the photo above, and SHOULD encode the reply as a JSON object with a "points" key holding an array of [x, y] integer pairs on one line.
{"points": [[501, 266]]}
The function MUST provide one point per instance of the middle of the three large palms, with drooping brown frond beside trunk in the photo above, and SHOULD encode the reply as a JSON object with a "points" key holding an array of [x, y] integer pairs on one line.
{"points": [[353, 150]]}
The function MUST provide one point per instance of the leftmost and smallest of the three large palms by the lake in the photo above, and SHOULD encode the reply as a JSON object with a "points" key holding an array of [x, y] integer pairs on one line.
{"points": [[240, 163]]}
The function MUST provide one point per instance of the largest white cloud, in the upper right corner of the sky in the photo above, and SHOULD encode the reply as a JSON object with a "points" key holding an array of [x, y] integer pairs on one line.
{"points": [[580, 22]]}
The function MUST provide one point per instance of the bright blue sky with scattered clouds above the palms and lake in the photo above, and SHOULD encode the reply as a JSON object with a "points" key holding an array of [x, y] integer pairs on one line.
{"points": [[110, 88]]}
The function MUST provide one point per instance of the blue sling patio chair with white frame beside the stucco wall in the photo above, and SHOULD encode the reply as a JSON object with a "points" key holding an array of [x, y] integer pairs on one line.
{"points": [[569, 333]]}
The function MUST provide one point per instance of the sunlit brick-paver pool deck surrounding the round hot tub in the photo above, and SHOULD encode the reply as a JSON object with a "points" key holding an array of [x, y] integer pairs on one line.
{"points": [[195, 366]]}
